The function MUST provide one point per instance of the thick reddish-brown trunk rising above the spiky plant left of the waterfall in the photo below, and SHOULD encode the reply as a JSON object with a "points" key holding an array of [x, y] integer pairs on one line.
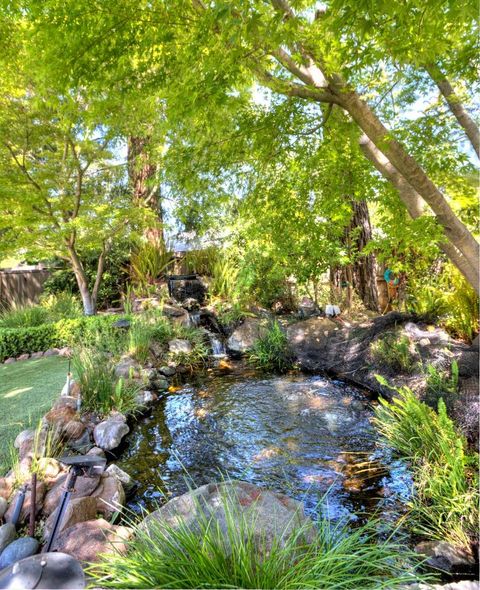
{"points": [[145, 190]]}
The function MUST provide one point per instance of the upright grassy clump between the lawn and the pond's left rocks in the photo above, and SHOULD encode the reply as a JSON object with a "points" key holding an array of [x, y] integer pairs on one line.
{"points": [[101, 391]]}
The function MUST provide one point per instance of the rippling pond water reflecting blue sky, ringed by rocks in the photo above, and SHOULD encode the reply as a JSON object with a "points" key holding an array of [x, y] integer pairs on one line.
{"points": [[301, 435]]}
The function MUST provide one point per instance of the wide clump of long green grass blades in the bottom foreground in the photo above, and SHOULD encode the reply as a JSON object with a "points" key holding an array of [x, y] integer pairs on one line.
{"points": [[233, 555]]}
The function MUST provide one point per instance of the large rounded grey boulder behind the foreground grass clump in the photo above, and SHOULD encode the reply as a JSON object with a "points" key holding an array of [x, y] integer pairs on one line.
{"points": [[273, 516]]}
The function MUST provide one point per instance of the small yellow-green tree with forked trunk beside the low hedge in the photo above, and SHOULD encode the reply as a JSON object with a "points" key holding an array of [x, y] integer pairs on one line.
{"points": [[61, 193]]}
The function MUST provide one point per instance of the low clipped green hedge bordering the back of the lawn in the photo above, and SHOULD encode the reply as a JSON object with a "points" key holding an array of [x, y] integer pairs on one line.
{"points": [[94, 331]]}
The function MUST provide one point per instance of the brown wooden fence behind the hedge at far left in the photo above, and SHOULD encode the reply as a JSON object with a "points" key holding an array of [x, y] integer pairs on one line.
{"points": [[21, 286]]}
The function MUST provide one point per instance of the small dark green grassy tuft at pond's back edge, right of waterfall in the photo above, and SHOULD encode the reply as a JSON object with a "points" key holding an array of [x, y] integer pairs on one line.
{"points": [[271, 351]]}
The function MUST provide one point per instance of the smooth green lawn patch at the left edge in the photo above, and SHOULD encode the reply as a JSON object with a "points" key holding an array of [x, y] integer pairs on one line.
{"points": [[27, 391]]}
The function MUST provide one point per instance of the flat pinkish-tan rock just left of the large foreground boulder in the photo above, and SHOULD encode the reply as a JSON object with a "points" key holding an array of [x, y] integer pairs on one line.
{"points": [[86, 541]]}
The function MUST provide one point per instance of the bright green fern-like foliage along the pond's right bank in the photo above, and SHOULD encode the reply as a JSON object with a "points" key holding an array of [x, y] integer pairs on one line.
{"points": [[446, 498]]}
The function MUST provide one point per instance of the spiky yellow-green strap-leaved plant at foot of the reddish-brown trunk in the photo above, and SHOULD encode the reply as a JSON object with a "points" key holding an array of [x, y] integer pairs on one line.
{"points": [[148, 263]]}
